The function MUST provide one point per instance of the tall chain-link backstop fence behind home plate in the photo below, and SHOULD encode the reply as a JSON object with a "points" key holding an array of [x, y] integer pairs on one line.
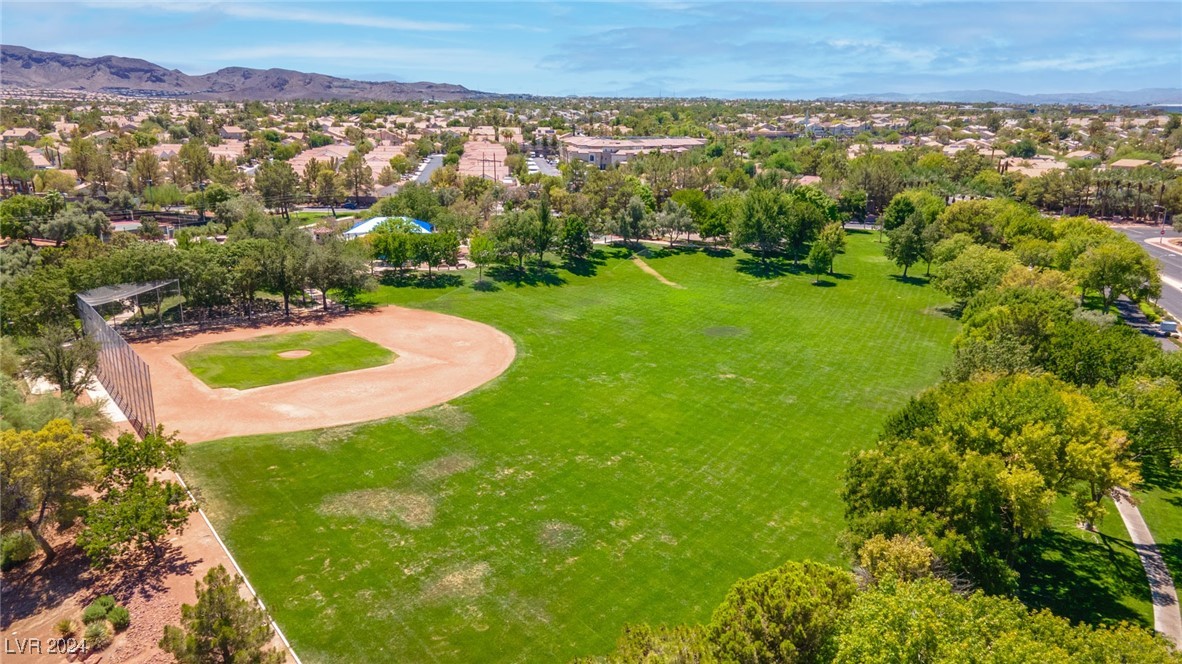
{"points": [[124, 374]]}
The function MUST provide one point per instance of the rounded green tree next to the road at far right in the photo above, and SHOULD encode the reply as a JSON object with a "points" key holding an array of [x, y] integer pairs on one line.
{"points": [[1118, 269]]}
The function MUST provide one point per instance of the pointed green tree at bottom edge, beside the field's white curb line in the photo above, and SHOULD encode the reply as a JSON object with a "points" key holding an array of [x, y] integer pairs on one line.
{"points": [[222, 628]]}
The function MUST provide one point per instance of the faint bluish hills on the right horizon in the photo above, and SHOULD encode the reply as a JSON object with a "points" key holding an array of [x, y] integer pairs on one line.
{"points": [[1147, 97]]}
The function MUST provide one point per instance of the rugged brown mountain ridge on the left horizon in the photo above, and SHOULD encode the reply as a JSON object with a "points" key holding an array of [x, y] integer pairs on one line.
{"points": [[27, 68]]}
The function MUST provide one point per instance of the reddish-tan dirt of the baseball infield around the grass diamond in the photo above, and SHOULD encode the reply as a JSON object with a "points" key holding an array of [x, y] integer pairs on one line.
{"points": [[440, 357]]}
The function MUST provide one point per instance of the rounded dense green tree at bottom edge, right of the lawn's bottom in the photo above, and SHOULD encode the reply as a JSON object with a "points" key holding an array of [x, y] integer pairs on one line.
{"points": [[791, 614]]}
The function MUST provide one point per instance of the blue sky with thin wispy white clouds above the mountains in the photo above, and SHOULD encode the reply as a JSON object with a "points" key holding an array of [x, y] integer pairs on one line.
{"points": [[790, 50]]}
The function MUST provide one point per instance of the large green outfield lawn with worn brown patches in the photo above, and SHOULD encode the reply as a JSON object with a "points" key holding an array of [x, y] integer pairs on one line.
{"points": [[650, 447]]}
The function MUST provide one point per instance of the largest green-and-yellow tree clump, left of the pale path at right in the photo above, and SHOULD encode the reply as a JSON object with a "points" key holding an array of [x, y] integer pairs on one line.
{"points": [[976, 467]]}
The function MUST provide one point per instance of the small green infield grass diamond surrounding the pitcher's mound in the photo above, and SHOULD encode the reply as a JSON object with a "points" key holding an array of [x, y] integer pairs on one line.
{"points": [[256, 362]]}
